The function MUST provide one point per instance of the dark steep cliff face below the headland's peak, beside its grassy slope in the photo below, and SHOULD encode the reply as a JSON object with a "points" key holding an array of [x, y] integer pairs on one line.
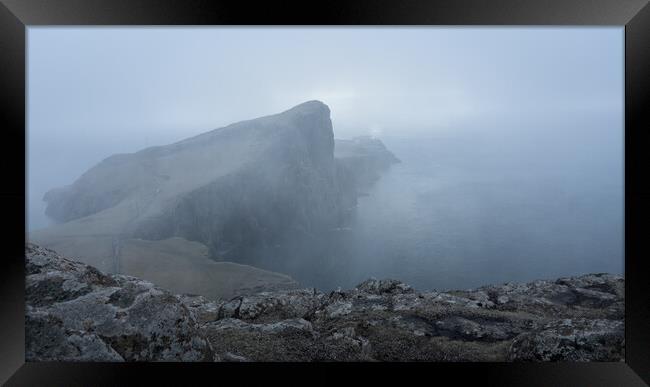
{"points": [[286, 187]]}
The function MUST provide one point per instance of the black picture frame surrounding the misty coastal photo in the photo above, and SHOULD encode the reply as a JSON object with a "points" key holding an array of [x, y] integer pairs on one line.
{"points": [[17, 15]]}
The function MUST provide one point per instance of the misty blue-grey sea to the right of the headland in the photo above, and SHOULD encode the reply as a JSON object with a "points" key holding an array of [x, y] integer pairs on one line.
{"points": [[470, 208]]}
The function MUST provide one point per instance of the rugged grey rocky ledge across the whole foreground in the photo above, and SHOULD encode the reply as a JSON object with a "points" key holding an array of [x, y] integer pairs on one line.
{"points": [[76, 313]]}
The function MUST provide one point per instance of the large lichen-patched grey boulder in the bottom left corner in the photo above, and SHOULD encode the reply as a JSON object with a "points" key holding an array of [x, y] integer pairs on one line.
{"points": [[76, 313]]}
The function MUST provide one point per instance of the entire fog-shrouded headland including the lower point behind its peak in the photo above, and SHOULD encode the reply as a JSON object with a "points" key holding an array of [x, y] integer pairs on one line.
{"points": [[248, 186]]}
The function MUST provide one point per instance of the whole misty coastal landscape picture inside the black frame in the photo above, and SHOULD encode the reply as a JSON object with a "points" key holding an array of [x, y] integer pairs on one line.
{"points": [[325, 194]]}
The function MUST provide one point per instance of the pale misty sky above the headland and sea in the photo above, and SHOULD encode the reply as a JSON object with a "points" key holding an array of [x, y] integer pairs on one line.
{"points": [[95, 91]]}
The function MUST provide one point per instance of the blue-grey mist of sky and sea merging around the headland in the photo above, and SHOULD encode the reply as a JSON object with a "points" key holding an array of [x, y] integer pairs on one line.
{"points": [[511, 139]]}
